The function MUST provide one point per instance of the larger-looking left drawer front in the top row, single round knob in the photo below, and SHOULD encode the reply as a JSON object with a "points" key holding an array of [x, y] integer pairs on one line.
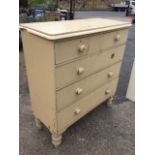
{"points": [[71, 49]]}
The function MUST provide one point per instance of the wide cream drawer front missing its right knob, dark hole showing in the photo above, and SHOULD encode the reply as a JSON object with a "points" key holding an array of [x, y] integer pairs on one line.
{"points": [[77, 70]]}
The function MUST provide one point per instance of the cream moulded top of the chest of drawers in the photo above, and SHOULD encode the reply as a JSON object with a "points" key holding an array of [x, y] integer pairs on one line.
{"points": [[63, 29]]}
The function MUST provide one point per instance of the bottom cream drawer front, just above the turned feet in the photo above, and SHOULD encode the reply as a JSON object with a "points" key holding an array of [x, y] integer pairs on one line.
{"points": [[74, 112]]}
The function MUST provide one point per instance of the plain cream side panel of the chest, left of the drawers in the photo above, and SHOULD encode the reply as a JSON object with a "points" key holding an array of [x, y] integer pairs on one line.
{"points": [[39, 59]]}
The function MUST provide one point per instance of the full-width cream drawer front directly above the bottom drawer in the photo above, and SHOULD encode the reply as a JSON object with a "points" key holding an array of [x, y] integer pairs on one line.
{"points": [[78, 90]]}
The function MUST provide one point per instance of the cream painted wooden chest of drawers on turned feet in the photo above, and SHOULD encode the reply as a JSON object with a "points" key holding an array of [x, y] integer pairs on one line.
{"points": [[72, 67]]}
